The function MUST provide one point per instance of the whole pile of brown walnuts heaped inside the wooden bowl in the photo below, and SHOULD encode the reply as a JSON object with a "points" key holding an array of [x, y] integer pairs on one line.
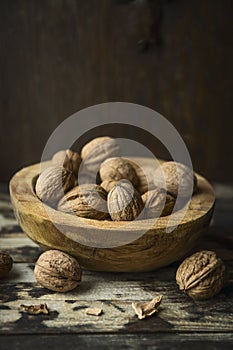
{"points": [[101, 185]]}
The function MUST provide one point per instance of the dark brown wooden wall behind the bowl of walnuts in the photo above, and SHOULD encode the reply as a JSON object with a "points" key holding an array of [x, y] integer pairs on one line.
{"points": [[59, 56]]}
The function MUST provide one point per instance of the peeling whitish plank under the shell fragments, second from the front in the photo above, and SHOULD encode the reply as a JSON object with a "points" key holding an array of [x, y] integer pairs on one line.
{"points": [[118, 316]]}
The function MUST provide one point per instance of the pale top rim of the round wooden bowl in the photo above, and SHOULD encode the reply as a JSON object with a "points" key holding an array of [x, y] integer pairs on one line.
{"points": [[23, 195]]}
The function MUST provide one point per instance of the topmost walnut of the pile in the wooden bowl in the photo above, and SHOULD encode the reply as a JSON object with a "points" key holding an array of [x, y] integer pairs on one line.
{"points": [[97, 150]]}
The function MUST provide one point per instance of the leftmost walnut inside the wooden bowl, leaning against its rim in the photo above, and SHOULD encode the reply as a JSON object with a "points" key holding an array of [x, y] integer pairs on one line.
{"points": [[52, 183]]}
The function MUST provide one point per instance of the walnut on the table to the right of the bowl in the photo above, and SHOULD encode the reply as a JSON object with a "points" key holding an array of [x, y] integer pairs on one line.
{"points": [[201, 275]]}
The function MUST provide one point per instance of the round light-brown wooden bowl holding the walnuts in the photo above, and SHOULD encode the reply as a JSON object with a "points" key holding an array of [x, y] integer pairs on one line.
{"points": [[151, 250]]}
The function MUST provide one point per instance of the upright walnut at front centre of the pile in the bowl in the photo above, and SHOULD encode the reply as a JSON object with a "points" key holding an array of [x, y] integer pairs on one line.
{"points": [[124, 202]]}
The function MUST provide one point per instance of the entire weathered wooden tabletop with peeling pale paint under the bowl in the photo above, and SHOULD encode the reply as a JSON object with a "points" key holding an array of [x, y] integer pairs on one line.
{"points": [[180, 324]]}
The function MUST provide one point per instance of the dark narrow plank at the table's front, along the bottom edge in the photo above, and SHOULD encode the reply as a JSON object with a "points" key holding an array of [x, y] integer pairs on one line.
{"points": [[184, 341]]}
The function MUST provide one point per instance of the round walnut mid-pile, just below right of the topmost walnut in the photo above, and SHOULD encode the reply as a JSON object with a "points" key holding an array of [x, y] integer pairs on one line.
{"points": [[116, 169]]}
